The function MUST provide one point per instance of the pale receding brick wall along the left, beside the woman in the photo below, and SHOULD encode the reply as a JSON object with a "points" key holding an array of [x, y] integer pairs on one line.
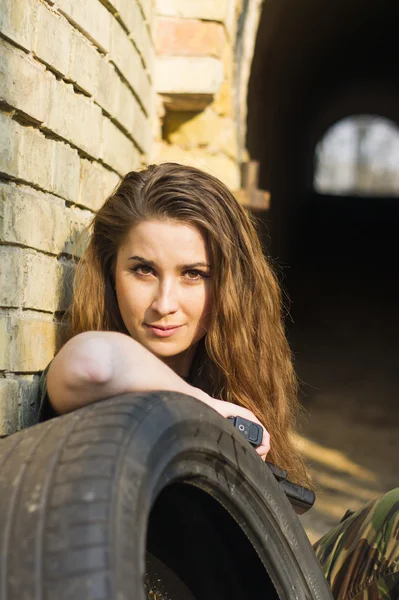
{"points": [[76, 97]]}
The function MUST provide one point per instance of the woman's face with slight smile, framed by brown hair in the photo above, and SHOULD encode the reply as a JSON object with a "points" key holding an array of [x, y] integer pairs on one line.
{"points": [[162, 282]]}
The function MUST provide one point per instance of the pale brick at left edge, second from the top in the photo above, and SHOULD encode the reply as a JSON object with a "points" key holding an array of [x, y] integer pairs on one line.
{"points": [[24, 84]]}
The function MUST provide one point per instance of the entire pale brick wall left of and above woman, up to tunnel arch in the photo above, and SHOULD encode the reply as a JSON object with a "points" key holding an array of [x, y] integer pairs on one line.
{"points": [[90, 89]]}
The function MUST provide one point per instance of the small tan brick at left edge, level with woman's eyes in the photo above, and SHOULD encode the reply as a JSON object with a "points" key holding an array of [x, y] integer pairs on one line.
{"points": [[11, 276]]}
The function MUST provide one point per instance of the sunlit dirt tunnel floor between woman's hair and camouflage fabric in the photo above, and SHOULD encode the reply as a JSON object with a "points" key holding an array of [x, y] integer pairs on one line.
{"points": [[353, 452]]}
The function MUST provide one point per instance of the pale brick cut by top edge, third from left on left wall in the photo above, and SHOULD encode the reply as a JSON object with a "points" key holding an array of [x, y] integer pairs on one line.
{"points": [[90, 17]]}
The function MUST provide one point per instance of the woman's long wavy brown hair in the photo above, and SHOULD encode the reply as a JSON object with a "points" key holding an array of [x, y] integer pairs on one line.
{"points": [[244, 357]]}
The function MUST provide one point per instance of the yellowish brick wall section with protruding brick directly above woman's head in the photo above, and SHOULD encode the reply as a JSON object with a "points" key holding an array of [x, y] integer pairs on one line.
{"points": [[195, 78]]}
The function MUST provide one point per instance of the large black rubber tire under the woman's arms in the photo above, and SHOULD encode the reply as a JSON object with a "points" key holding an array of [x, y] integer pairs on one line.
{"points": [[90, 498]]}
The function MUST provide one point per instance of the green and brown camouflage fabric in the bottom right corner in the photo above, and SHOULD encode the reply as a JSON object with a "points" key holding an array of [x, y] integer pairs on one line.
{"points": [[360, 557]]}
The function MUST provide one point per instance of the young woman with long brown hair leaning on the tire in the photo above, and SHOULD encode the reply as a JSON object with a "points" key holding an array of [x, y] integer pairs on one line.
{"points": [[174, 293]]}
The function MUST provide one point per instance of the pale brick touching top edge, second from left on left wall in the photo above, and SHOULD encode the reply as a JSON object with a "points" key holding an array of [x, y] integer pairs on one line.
{"points": [[52, 39]]}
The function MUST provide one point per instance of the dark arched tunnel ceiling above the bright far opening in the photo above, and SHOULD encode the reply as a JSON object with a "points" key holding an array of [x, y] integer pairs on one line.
{"points": [[315, 63]]}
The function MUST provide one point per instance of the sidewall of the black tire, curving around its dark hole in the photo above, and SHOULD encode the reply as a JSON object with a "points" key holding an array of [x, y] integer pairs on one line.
{"points": [[182, 439]]}
